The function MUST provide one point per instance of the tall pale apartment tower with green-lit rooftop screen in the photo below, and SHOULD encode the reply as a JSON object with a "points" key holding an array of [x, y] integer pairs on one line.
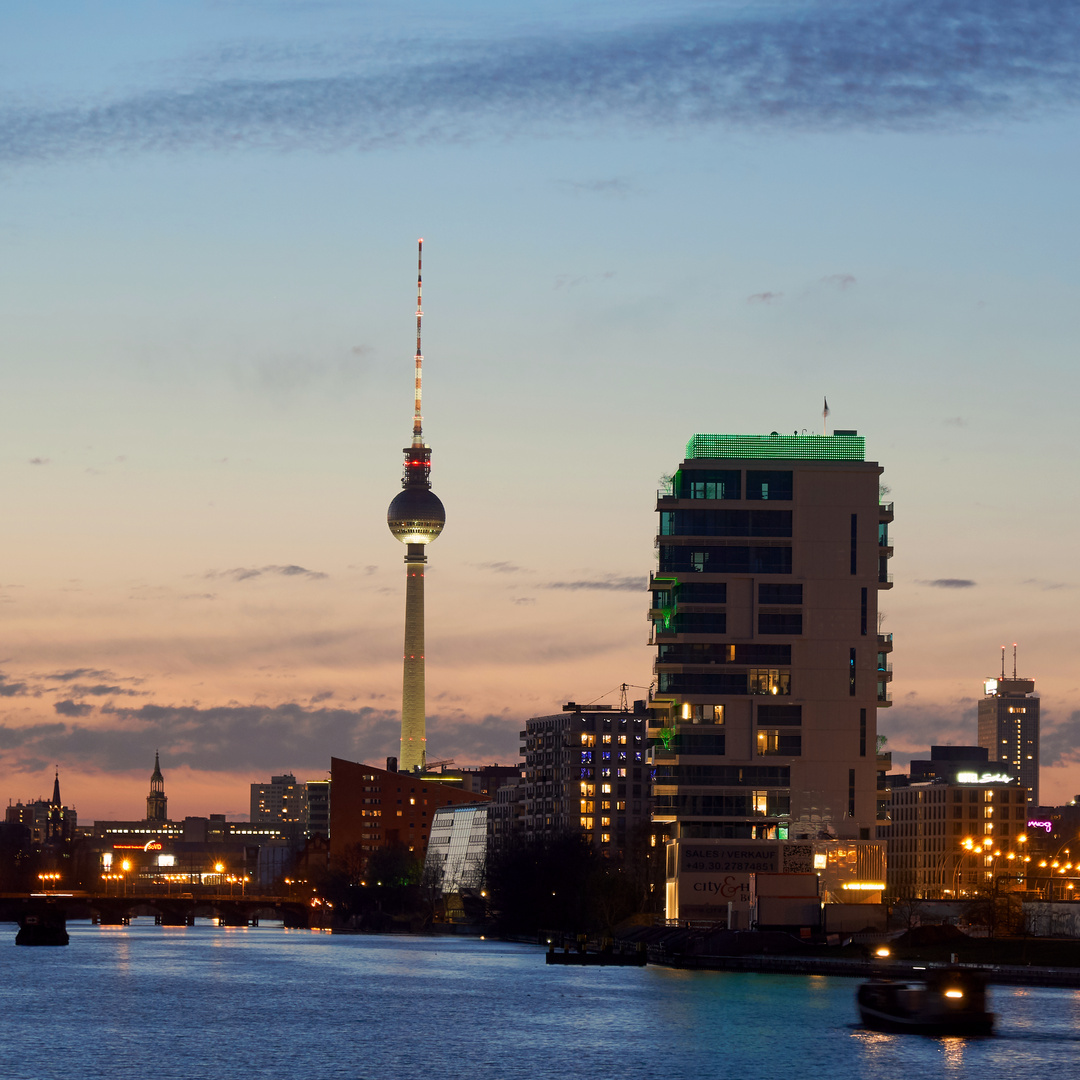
{"points": [[771, 669]]}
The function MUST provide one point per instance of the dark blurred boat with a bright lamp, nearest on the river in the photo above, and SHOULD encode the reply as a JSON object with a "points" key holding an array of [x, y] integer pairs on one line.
{"points": [[946, 1002]]}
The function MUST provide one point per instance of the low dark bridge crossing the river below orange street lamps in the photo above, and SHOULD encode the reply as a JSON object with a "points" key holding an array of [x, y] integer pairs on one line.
{"points": [[168, 909]]}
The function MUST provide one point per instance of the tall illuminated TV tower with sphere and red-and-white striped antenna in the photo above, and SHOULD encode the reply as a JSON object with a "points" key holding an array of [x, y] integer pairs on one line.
{"points": [[416, 518]]}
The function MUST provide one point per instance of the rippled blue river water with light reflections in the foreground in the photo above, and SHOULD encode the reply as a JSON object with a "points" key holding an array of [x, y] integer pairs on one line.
{"points": [[156, 1004]]}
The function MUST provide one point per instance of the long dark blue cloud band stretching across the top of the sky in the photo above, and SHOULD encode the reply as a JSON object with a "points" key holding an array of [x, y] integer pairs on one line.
{"points": [[826, 66]]}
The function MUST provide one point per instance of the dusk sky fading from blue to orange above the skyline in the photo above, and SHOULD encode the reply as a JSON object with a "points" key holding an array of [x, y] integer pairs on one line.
{"points": [[641, 221]]}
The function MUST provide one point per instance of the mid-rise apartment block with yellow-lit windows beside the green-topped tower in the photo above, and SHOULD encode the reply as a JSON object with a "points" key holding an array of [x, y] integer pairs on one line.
{"points": [[586, 773]]}
